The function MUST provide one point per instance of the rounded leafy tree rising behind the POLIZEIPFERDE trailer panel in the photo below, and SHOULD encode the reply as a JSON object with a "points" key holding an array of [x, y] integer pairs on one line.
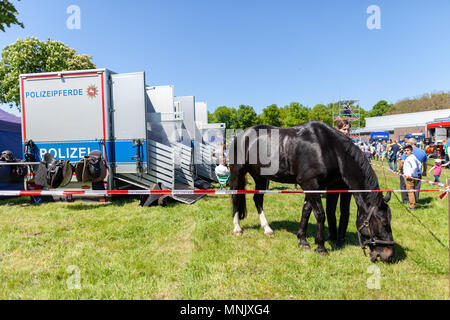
{"points": [[31, 55]]}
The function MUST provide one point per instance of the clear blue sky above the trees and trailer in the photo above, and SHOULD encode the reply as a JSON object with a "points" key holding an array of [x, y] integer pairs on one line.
{"points": [[259, 52]]}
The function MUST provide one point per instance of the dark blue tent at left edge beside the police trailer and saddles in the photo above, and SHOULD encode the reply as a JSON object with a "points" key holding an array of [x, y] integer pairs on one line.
{"points": [[10, 139]]}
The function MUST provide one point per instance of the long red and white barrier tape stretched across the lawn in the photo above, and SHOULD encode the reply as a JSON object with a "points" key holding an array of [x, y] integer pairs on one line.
{"points": [[100, 193]]}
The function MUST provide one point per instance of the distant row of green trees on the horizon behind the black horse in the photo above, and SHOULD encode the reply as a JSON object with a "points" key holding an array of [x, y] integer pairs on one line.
{"points": [[290, 115]]}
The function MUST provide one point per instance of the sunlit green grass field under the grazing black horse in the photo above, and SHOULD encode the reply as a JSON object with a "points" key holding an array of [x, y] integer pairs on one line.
{"points": [[124, 251]]}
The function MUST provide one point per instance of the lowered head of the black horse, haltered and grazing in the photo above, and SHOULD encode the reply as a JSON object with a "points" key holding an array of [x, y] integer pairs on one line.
{"points": [[374, 229]]}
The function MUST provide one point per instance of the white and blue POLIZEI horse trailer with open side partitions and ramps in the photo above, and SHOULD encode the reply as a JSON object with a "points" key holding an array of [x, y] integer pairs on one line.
{"points": [[136, 127]]}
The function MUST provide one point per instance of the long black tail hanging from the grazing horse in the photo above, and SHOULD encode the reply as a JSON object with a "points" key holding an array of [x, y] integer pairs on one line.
{"points": [[237, 180]]}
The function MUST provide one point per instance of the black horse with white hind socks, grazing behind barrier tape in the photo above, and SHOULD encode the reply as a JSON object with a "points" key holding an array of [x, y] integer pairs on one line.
{"points": [[314, 156]]}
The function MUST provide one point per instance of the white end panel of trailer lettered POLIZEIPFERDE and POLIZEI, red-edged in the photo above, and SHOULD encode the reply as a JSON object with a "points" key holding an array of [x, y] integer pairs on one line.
{"points": [[64, 113]]}
